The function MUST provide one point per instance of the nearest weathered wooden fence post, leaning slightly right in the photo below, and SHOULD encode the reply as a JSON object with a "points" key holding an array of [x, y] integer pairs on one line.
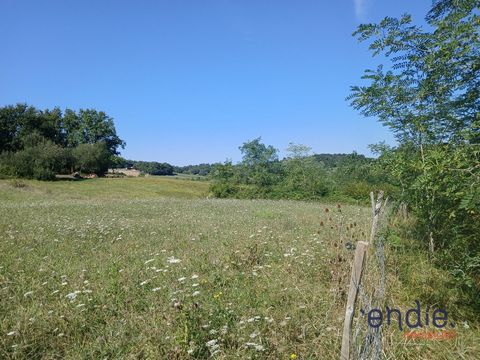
{"points": [[352, 296]]}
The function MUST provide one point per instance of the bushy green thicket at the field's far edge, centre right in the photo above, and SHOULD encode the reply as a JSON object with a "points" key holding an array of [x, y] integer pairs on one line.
{"points": [[301, 175]]}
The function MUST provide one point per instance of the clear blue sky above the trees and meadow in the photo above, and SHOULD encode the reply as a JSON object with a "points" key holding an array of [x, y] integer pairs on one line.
{"points": [[190, 81]]}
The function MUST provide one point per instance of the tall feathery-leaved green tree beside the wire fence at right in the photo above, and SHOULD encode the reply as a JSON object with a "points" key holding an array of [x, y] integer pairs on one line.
{"points": [[430, 98]]}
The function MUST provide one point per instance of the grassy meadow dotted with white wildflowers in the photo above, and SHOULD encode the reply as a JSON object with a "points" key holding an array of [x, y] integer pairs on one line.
{"points": [[151, 268]]}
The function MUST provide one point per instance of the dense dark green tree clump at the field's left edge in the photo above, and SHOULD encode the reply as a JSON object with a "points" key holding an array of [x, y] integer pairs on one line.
{"points": [[42, 143]]}
